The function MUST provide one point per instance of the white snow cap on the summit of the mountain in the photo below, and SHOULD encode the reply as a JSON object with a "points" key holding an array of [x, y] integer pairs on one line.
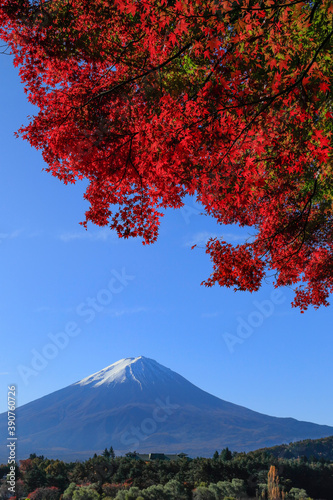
{"points": [[140, 370]]}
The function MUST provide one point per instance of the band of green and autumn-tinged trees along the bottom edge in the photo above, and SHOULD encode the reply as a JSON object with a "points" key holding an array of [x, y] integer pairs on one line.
{"points": [[224, 476]]}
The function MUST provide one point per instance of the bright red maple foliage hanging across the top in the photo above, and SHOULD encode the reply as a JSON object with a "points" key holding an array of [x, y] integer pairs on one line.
{"points": [[228, 101]]}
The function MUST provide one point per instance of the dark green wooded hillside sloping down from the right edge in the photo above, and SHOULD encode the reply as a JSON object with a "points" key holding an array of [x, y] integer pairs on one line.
{"points": [[317, 448]]}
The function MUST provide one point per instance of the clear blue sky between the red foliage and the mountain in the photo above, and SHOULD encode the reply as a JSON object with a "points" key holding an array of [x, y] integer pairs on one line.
{"points": [[102, 299]]}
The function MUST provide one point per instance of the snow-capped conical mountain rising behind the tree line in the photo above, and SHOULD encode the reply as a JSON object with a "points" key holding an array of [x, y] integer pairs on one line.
{"points": [[138, 404]]}
